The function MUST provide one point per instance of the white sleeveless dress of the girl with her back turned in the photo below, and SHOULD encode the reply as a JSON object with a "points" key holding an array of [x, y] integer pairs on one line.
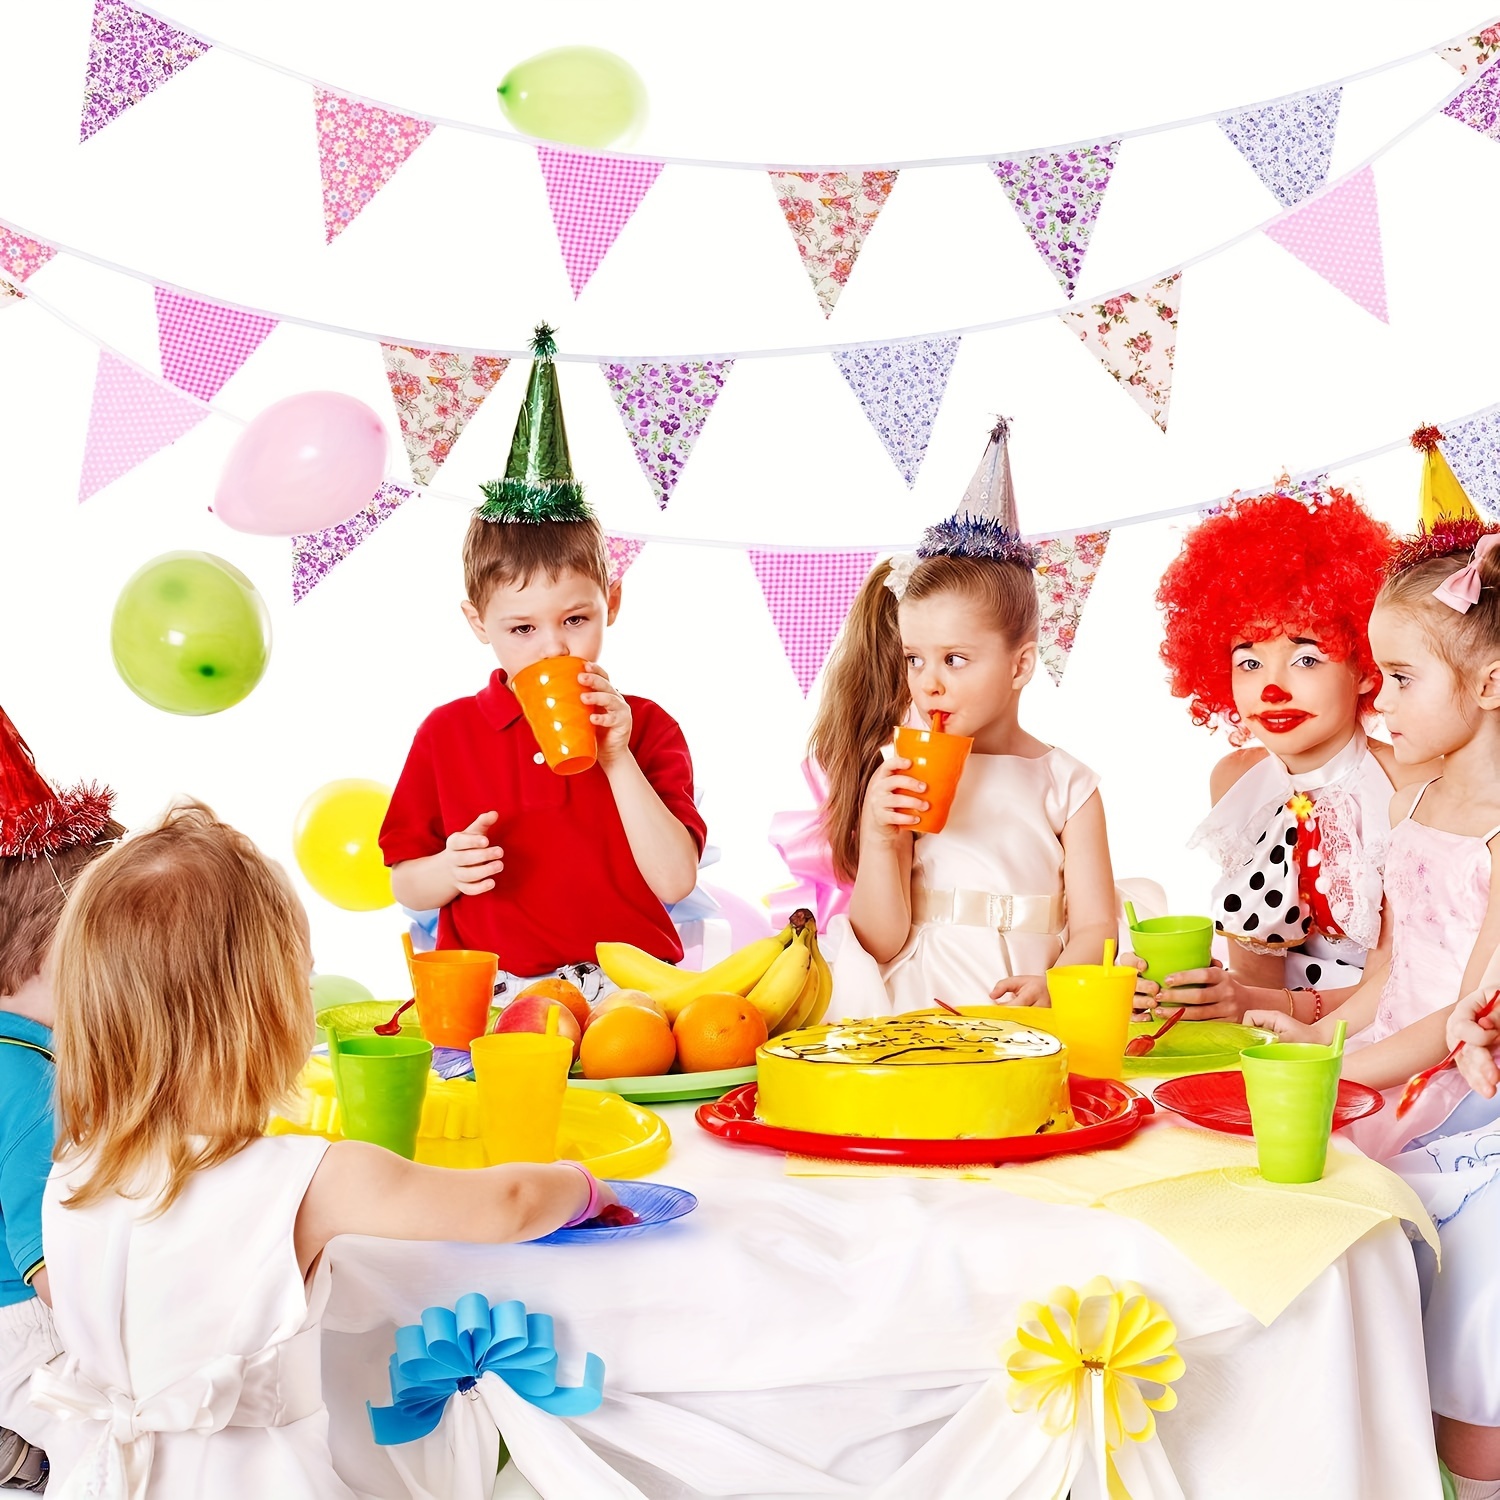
{"points": [[193, 1345]]}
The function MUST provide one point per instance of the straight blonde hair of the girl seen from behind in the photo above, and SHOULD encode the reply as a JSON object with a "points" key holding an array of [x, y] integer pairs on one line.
{"points": [[184, 1006]]}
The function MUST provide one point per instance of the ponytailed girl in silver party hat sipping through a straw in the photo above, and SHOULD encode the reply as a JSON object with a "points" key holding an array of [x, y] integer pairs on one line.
{"points": [[1021, 877]]}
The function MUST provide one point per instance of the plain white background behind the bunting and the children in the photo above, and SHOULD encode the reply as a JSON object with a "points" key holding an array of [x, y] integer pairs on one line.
{"points": [[212, 184]]}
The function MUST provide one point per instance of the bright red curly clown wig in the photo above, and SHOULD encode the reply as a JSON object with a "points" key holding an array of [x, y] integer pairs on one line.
{"points": [[1271, 566]]}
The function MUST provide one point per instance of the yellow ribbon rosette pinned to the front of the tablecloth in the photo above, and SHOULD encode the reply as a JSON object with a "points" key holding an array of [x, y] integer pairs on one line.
{"points": [[1117, 1337]]}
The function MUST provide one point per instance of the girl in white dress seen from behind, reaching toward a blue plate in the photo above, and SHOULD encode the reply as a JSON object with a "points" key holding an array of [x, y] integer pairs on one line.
{"points": [[182, 1243]]}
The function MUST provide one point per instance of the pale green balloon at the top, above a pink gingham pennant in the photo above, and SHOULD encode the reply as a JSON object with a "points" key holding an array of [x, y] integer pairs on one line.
{"points": [[580, 95]]}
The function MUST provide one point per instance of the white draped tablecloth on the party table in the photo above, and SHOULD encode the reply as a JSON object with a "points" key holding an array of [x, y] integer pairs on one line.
{"points": [[800, 1337]]}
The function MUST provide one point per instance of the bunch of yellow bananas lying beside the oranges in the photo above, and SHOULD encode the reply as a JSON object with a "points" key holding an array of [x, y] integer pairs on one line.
{"points": [[785, 977]]}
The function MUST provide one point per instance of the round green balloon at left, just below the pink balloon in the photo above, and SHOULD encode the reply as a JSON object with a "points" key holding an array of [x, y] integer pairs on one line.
{"points": [[190, 634]]}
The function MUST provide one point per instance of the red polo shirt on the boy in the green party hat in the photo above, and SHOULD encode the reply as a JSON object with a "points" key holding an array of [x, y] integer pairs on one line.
{"points": [[571, 880]]}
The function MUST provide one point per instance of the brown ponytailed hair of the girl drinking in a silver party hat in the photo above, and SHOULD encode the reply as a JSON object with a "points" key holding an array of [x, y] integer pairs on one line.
{"points": [[866, 694]]}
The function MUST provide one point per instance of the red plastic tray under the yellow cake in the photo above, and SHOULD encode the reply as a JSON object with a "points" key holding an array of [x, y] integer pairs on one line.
{"points": [[1106, 1112]]}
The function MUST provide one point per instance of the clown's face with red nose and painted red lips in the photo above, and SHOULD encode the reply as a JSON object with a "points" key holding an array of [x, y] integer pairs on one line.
{"points": [[1295, 698]]}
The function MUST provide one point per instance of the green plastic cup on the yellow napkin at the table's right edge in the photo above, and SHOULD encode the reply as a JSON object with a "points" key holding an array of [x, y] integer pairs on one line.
{"points": [[1292, 1088]]}
